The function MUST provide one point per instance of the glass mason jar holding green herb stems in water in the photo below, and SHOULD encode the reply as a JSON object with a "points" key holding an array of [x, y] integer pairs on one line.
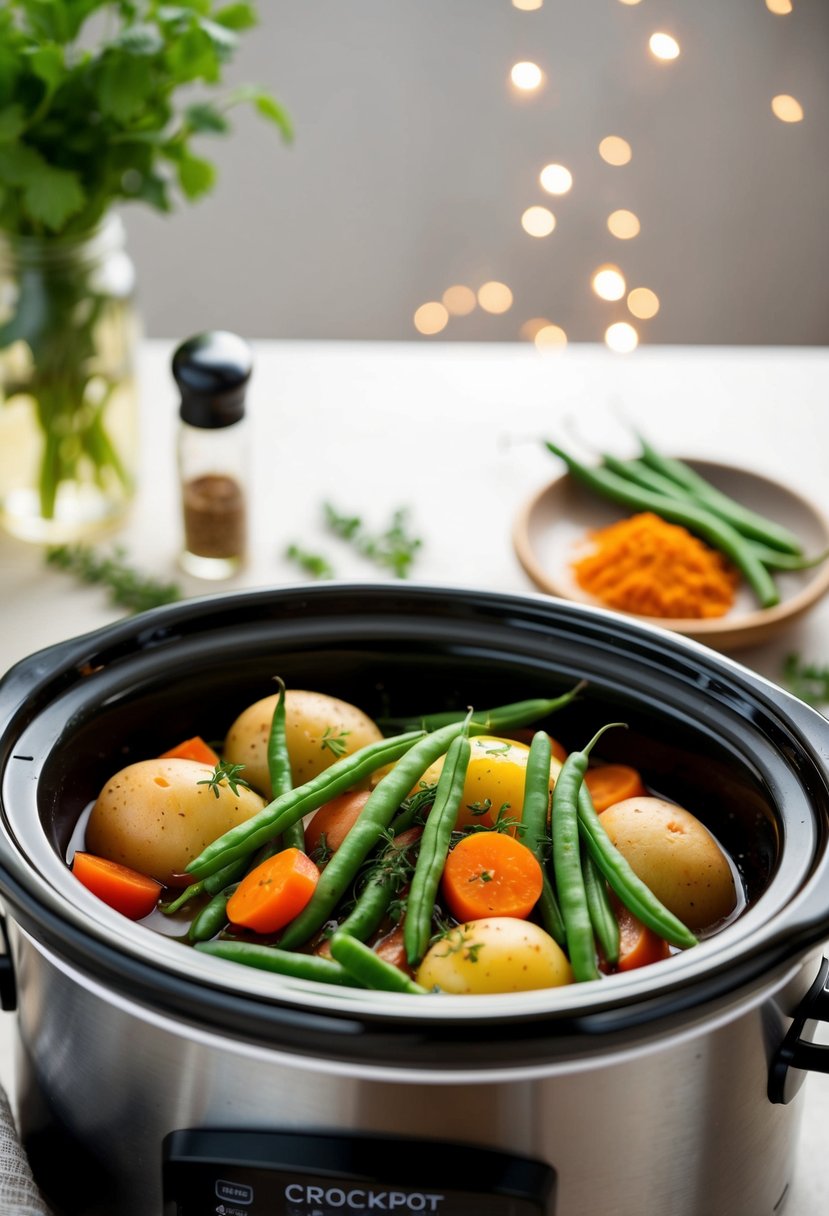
{"points": [[69, 401]]}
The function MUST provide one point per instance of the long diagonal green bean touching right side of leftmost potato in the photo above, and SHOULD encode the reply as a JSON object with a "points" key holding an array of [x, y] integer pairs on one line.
{"points": [[286, 809]]}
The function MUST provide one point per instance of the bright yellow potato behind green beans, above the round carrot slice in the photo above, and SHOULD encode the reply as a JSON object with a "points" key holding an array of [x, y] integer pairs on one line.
{"points": [[495, 780]]}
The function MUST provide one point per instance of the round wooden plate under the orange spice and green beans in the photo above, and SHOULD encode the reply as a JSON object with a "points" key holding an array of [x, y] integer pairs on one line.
{"points": [[554, 525]]}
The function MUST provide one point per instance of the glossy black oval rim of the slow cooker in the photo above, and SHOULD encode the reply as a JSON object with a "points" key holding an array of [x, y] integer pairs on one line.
{"points": [[774, 934]]}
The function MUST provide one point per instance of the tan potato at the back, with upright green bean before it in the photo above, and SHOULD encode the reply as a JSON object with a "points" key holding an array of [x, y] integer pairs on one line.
{"points": [[319, 730]]}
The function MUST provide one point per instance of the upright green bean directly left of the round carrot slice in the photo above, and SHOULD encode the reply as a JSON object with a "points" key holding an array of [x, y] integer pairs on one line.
{"points": [[435, 848]]}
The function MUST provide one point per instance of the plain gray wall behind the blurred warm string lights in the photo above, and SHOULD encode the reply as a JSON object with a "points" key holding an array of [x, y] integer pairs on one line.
{"points": [[414, 161]]}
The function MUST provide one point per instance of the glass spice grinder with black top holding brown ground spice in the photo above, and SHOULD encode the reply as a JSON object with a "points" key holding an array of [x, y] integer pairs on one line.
{"points": [[212, 371]]}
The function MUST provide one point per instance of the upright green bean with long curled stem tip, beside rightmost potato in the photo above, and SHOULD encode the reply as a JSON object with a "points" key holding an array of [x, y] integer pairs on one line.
{"points": [[567, 862]]}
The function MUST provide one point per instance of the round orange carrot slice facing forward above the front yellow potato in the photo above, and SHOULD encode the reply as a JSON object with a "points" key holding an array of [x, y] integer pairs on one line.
{"points": [[490, 874]]}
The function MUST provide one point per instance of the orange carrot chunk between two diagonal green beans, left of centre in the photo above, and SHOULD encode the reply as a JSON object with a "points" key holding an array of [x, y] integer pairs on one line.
{"points": [[274, 893]]}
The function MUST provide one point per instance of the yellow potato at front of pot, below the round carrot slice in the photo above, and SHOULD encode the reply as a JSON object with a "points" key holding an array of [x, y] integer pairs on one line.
{"points": [[497, 955]]}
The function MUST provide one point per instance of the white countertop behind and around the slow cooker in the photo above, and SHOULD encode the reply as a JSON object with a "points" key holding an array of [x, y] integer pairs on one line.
{"points": [[452, 432]]}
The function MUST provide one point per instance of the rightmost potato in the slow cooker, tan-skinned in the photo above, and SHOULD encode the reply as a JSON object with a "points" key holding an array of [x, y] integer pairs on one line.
{"points": [[676, 857]]}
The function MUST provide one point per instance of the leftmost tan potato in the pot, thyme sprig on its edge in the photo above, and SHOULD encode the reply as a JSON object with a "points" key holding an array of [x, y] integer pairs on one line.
{"points": [[155, 818]]}
